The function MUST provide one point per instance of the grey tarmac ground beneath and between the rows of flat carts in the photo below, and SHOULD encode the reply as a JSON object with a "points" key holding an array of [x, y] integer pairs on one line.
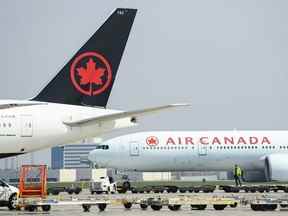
{"points": [[113, 210]]}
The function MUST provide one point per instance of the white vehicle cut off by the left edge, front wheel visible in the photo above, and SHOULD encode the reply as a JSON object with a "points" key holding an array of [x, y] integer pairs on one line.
{"points": [[8, 195]]}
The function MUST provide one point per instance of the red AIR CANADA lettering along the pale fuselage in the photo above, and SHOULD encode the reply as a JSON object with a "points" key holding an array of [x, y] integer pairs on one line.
{"points": [[215, 140]]}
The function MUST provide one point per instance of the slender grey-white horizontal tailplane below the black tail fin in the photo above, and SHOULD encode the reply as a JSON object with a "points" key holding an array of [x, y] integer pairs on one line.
{"points": [[115, 116]]}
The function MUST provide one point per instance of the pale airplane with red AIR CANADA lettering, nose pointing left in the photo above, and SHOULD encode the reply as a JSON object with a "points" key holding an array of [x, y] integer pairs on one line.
{"points": [[197, 151]]}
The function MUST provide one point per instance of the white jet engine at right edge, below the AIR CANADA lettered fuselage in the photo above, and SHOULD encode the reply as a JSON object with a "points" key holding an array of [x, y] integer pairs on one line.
{"points": [[276, 167]]}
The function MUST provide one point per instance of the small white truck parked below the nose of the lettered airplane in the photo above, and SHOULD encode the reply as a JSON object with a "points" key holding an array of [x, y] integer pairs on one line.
{"points": [[103, 185]]}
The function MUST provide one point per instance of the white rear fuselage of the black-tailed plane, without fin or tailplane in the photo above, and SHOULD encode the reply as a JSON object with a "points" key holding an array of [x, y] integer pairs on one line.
{"points": [[29, 128]]}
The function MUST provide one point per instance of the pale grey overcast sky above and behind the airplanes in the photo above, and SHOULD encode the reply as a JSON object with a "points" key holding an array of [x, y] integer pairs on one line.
{"points": [[227, 58]]}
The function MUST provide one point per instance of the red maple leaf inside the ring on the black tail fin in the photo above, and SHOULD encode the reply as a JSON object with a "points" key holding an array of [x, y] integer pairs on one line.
{"points": [[91, 74]]}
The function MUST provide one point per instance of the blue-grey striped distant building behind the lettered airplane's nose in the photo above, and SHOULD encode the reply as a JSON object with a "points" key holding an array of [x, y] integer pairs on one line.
{"points": [[75, 156]]}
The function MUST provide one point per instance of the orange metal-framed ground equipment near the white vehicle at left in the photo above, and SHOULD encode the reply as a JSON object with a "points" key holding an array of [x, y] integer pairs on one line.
{"points": [[33, 181]]}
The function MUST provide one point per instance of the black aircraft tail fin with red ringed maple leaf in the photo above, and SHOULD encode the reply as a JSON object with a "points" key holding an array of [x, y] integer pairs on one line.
{"points": [[87, 78]]}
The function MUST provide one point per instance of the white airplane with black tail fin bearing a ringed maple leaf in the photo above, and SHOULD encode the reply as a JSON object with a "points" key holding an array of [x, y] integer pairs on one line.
{"points": [[73, 105]]}
